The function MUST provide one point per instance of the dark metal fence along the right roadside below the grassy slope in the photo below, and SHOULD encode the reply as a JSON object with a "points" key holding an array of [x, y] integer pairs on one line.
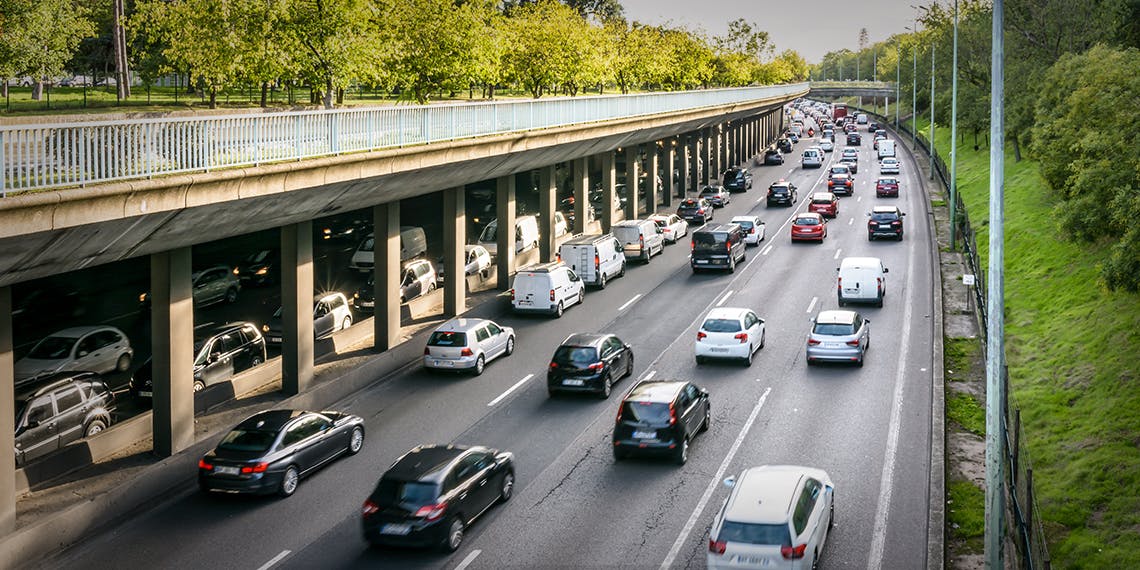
{"points": [[1030, 536]]}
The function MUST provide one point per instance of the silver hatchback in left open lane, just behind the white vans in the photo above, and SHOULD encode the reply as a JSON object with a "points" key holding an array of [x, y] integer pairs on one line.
{"points": [[468, 345]]}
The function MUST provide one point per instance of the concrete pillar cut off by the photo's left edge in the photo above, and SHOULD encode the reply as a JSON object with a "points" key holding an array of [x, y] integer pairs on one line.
{"points": [[7, 410]]}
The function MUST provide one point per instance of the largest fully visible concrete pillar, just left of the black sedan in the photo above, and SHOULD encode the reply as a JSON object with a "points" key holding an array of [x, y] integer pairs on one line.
{"points": [[173, 352]]}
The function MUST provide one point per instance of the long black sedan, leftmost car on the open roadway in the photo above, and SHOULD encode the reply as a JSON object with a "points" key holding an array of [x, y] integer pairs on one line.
{"points": [[271, 452]]}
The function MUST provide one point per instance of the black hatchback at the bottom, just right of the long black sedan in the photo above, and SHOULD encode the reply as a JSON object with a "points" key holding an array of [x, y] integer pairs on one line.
{"points": [[433, 494]]}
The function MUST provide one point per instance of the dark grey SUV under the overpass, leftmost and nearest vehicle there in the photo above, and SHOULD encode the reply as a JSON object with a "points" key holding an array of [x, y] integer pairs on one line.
{"points": [[64, 408]]}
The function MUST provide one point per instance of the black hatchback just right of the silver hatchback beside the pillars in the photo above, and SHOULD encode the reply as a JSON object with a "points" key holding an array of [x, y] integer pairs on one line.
{"points": [[589, 362]]}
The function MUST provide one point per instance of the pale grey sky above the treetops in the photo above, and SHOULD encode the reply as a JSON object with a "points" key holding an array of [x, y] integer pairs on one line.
{"points": [[826, 26]]}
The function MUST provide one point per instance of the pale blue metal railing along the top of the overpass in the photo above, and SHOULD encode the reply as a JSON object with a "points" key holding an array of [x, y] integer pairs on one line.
{"points": [[77, 154]]}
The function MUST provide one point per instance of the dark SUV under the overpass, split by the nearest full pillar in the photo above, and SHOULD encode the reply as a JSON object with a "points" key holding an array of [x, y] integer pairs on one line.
{"points": [[221, 352]]}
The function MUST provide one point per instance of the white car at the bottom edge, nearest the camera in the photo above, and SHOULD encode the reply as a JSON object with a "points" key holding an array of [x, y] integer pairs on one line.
{"points": [[776, 517]]}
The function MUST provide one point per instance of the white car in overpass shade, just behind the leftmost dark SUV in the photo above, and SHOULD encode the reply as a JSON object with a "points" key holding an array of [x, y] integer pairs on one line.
{"points": [[100, 349]]}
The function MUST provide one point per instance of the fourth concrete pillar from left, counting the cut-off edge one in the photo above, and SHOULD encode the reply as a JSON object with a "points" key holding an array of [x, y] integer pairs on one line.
{"points": [[386, 274]]}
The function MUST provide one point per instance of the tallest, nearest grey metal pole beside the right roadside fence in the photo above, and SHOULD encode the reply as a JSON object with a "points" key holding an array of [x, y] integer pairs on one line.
{"points": [[996, 302]]}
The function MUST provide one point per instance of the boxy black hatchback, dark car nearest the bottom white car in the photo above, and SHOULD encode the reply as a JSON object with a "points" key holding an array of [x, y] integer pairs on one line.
{"points": [[661, 419]]}
